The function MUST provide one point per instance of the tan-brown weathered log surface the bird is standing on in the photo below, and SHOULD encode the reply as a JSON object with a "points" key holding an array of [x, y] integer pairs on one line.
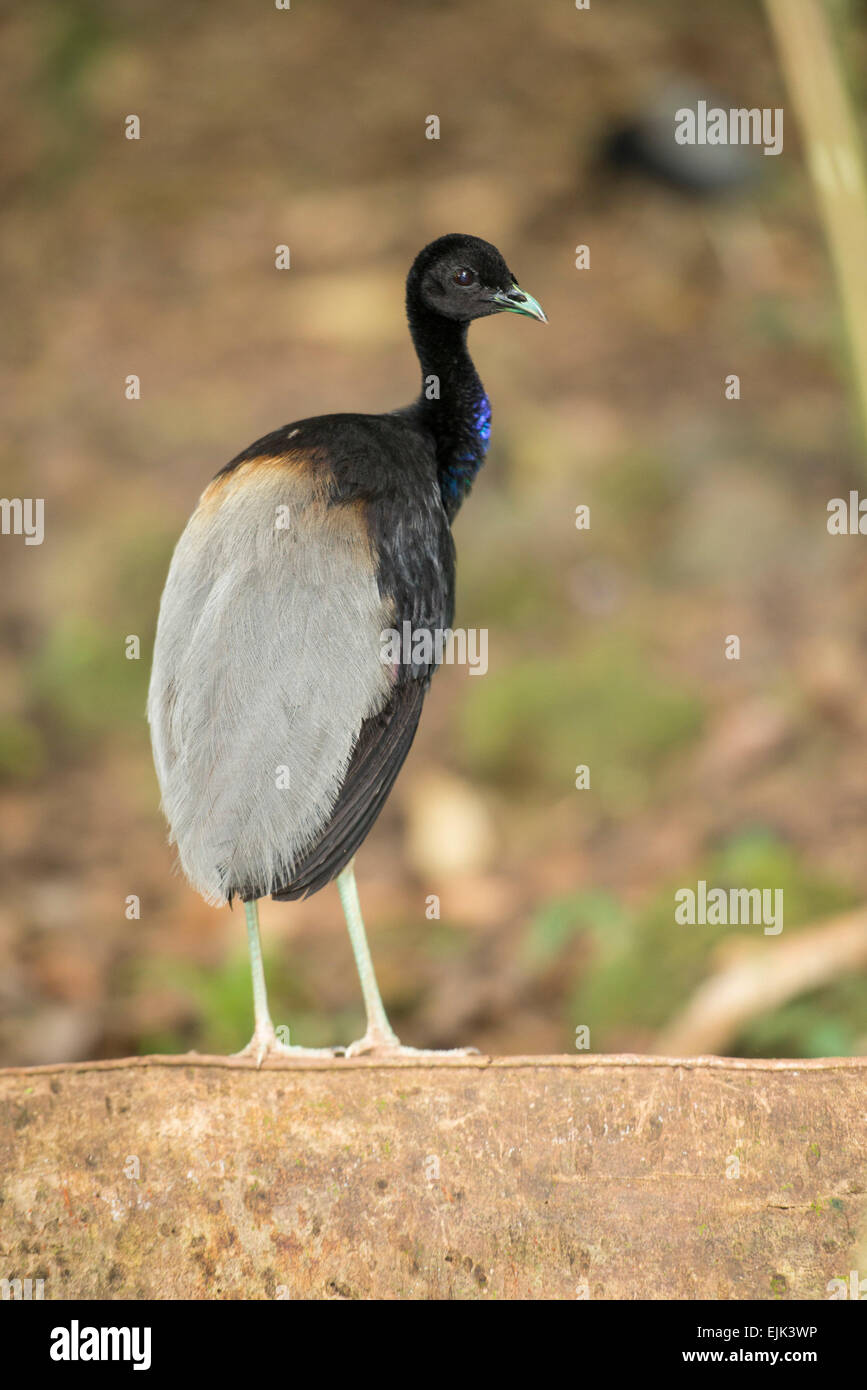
{"points": [[511, 1178]]}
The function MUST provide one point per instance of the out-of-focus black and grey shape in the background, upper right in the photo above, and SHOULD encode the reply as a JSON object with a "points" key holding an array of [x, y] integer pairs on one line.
{"points": [[645, 145]]}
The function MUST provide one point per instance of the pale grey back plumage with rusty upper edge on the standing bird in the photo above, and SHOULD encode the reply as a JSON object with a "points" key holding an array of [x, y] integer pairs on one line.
{"points": [[266, 665]]}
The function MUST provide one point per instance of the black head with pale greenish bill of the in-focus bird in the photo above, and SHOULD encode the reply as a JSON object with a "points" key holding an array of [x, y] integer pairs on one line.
{"points": [[465, 279]]}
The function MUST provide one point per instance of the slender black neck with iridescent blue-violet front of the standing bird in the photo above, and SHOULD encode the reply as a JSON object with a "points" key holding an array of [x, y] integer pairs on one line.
{"points": [[452, 405]]}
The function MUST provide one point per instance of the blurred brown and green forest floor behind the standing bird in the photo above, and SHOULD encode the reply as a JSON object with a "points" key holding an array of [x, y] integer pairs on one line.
{"points": [[606, 647]]}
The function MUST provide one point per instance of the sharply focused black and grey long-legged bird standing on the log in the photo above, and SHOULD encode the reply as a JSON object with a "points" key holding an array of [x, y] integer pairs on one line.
{"points": [[280, 718]]}
